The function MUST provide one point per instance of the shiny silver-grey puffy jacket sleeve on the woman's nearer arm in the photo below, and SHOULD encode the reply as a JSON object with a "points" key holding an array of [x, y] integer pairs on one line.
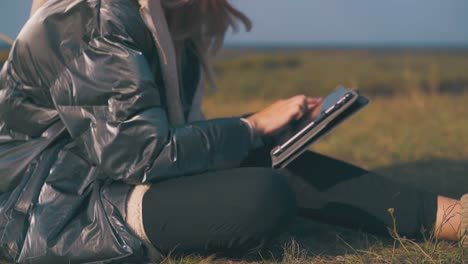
{"points": [[107, 98]]}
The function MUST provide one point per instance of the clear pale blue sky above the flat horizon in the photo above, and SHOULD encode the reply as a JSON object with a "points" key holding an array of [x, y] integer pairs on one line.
{"points": [[363, 22]]}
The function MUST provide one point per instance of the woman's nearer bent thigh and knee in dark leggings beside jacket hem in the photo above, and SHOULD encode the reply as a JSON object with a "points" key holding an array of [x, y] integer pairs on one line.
{"points": [[230, 211]]}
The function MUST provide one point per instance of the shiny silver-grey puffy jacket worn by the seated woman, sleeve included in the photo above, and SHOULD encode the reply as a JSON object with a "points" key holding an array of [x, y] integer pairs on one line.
{"points": [[83, 117]]}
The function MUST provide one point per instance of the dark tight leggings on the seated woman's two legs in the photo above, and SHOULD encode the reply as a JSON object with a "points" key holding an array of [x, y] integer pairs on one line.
{"points": [[239, 210]]}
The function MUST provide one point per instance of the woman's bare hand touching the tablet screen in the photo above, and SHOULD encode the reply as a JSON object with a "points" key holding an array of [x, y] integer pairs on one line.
{"points": [[277, 116]]}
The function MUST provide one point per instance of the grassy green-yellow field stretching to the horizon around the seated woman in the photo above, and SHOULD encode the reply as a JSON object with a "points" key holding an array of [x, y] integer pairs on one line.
{"points": [[415, 131]]}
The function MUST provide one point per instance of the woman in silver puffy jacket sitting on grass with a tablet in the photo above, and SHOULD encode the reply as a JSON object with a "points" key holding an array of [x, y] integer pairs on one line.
{"points": [[105, 156]]}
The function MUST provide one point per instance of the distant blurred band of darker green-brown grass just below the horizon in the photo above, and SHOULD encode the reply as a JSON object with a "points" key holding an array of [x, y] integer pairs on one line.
{"points": [[273, 75]]}
